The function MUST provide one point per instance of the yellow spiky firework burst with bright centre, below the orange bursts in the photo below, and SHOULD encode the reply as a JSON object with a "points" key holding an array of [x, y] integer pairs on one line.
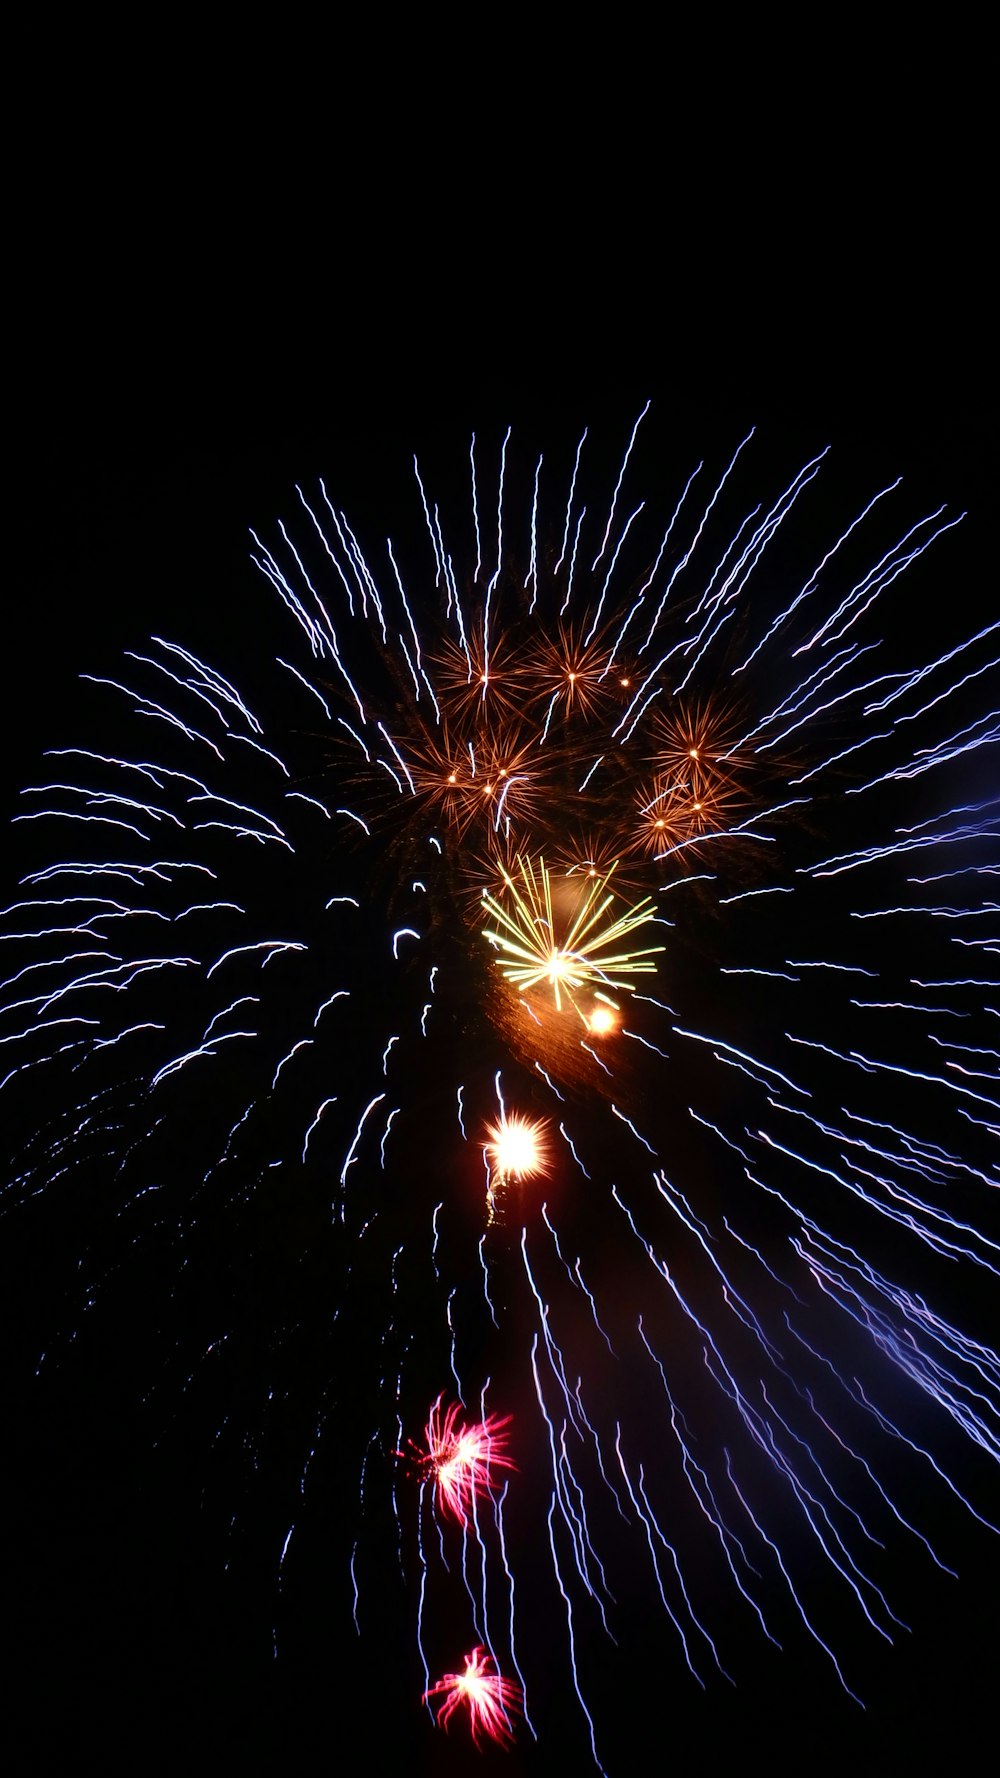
{"points": [[565, 933]]}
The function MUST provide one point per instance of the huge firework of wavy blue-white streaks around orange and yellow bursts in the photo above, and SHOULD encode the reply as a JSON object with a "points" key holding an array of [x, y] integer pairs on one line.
{"points": [[255, 977]]}
